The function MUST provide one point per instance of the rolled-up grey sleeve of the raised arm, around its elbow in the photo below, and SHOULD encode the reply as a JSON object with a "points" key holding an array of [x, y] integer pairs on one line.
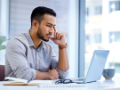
{"points": [[54, 65]]}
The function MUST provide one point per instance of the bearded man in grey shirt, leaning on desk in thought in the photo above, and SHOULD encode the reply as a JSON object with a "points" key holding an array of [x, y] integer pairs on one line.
{"points": [[28, 56]]}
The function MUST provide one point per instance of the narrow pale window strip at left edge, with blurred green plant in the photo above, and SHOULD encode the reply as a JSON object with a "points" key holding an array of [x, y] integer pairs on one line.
{"points": [[4, 15]]}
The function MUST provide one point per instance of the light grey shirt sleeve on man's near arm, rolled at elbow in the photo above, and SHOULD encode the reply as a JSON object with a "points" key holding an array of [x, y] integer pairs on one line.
{"points": [[15, 56]]}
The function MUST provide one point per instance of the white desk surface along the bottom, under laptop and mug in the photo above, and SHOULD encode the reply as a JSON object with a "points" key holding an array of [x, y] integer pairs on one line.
{"points": [[102, 84]]}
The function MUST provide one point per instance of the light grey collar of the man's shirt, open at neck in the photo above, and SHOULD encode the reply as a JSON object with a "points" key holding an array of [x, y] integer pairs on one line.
{"points": [[30, 41]]}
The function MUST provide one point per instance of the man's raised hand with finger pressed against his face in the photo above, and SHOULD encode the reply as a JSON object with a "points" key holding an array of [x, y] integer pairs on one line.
{"points": [[59, 39]]}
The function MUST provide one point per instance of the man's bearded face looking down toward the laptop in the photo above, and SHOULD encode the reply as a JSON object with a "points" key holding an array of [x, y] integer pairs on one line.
{"points": [[46, 26]]}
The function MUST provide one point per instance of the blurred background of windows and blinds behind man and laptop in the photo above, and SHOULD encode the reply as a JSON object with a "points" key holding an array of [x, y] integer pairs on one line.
{"points": [[100, 28]]}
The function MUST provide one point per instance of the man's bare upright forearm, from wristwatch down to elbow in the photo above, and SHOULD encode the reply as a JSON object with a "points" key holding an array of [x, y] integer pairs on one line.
{"points": [[63, 60]]}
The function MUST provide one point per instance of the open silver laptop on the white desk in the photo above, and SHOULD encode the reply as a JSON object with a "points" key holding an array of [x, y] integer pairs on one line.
{"points": [[96, 67]]}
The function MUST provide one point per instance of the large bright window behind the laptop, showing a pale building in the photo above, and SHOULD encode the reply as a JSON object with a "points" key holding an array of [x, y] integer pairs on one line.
{"points": [[103, 31]]}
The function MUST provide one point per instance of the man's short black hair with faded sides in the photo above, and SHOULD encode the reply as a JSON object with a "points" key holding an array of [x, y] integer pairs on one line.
{"points": [[38, 12]]}
